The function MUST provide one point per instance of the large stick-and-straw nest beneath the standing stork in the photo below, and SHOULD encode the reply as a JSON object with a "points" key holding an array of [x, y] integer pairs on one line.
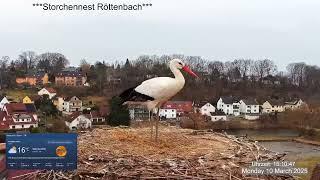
{"points": [[129, 153]]}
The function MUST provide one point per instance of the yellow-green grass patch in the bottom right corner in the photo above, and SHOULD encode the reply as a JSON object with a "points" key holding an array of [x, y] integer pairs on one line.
{"points": [[309, 163]]}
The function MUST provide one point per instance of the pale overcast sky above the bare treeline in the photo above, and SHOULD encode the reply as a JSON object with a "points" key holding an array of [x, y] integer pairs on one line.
{"points": [[283, 30]]}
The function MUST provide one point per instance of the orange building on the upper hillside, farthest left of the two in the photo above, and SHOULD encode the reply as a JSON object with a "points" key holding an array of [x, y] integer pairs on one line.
{"points": [[33, 79]]}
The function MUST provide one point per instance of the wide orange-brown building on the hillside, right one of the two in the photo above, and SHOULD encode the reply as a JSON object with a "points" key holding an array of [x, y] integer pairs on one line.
{"points": [[70, 78]]}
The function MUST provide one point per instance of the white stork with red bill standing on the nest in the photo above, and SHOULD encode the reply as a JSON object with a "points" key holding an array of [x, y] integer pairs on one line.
{"points": [[153, 93]]}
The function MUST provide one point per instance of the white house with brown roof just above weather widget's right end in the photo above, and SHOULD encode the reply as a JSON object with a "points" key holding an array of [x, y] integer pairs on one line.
{"points": [[78, 121]]}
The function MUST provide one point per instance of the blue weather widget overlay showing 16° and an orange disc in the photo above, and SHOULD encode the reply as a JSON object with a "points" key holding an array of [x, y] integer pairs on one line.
{"points": [[41, 151]]}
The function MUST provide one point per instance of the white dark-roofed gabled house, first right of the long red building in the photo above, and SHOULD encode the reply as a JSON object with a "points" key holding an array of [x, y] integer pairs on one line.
{"points": [[229, 105]]}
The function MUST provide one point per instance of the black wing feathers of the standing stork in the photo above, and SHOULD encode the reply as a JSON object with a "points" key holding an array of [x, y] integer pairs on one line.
{"points": [[132, 95]]}
